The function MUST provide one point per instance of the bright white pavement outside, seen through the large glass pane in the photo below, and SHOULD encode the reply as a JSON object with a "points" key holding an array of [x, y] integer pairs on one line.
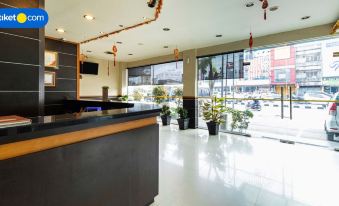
{"points": [[307, 122]]}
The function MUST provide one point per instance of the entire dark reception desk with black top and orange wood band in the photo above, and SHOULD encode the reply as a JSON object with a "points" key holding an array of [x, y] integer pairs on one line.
{"points": [[101, 158]]}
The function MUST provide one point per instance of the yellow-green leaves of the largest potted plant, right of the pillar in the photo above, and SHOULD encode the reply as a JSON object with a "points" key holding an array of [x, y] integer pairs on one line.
{"points": [[213, 111]]}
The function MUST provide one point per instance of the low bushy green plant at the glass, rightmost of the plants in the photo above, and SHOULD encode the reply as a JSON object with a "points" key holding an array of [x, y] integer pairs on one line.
{"points": [[240, 119]]}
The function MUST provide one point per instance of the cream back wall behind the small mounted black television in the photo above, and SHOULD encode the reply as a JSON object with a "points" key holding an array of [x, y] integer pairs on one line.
{"points": [[91, 85]]}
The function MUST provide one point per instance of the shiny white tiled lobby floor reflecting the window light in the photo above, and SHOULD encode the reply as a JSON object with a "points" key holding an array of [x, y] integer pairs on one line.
{"points": [[228, 170]]}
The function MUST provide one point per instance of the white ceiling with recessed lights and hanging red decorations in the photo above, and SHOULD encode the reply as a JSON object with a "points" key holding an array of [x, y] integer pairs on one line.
{"points": [[193, 23]]}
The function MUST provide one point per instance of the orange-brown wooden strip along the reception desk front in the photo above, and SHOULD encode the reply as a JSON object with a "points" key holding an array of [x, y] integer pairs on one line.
{"points": [[16, 149]]}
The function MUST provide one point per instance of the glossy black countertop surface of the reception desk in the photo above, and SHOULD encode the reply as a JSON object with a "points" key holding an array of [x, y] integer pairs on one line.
{"points": [[55, 124]]}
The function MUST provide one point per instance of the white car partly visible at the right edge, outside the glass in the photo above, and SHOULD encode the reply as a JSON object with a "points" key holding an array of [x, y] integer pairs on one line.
{"points": [[332, 120]]}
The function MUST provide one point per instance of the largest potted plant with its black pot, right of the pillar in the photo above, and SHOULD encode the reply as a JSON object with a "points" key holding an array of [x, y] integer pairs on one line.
{"points": [[213, 112]]}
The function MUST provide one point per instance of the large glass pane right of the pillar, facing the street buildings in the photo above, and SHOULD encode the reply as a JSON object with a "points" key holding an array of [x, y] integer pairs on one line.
{"points": [[293, 85]]}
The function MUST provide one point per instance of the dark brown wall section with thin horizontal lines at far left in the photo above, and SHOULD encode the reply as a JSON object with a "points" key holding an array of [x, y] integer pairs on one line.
{"points": [[21, 78]]}
